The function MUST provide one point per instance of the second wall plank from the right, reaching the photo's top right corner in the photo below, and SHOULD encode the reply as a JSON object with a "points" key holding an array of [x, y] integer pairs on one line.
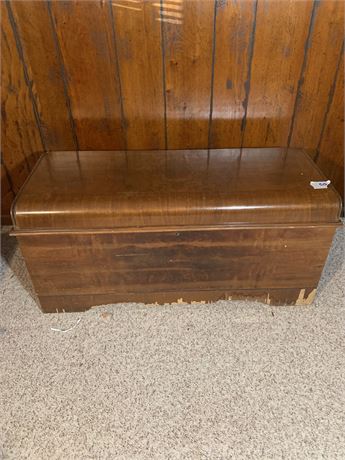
{"points": [[322, 59]]}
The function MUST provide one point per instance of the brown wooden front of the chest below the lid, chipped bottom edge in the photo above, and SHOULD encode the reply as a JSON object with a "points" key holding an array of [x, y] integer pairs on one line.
{"points": [[272, 263]]}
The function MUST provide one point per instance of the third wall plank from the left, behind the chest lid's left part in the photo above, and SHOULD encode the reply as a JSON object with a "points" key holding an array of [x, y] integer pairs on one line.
{"points": [[85, 35]]}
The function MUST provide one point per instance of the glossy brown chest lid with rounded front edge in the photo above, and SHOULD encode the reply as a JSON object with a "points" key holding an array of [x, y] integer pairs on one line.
{"points": [[118, 189]]}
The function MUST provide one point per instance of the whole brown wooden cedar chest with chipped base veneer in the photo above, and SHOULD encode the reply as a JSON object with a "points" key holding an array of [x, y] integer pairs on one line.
{"points": [[167, 226]]}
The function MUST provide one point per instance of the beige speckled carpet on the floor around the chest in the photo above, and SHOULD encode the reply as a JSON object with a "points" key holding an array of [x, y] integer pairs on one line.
{"points": [[230, 380]]}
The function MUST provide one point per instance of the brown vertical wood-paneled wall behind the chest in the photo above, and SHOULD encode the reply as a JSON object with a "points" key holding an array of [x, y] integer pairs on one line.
{"points": [[135, 74]]}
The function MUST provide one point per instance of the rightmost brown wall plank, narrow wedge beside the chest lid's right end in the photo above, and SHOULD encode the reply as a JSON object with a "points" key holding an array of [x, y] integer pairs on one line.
{"points": [[331, 152]]}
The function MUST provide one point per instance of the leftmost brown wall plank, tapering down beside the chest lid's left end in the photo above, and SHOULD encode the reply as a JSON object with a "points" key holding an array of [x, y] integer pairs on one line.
{"points": [[20, 136]]}
